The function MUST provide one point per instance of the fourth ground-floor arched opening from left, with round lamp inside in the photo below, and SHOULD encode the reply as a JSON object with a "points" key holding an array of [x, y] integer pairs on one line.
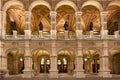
{"points": [[91, 61]]}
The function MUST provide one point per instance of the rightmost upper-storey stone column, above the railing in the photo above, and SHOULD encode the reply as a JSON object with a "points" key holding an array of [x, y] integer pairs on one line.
{"points": [[104, 31]]}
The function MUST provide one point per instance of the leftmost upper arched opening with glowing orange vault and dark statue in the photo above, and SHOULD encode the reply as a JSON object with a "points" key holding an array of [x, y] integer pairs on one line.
{"points": [[15, 20]]}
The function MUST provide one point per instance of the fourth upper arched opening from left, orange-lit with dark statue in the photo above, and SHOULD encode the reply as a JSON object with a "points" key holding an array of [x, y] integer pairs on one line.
{"points": [[90, 21]]}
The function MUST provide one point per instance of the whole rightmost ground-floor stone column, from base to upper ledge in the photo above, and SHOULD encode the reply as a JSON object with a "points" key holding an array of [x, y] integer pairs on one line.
{"points": [[104, 62]]}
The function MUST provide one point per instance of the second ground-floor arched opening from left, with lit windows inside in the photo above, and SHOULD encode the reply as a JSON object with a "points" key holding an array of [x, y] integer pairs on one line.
{"points": [[41, 61]]}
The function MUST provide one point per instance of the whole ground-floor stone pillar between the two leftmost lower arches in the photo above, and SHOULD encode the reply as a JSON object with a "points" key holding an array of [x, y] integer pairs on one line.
{"points": [[27, 72]]}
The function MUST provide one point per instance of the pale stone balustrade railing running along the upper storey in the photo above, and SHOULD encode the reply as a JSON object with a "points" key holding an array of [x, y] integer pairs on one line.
{"points": [[61, 37]]}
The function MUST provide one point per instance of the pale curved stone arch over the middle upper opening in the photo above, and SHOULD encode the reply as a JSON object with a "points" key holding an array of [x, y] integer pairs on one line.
{"points": [[66, 2]]}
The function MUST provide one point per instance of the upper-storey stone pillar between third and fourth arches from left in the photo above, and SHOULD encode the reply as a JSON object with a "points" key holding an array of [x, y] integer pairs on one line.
{"points": [[78, 24]]}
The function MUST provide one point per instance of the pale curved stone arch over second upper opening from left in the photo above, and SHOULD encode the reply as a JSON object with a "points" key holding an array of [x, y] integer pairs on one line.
{"points": [[39, 2]]}
